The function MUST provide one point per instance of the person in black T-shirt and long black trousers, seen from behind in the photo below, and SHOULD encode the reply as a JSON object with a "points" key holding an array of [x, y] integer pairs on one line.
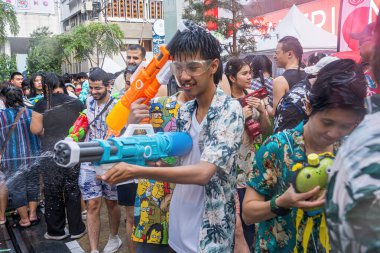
{"points": [[56, 113]]}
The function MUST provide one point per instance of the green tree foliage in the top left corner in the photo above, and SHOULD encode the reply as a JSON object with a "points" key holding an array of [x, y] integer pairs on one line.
{"points": [[7, 19]]}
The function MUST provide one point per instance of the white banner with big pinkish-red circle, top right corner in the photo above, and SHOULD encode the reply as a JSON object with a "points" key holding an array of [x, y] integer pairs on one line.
{"points": [[355, 15]]}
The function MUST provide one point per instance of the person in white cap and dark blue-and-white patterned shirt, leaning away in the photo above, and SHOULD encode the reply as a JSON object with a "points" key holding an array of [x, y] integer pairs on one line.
{"points": [[291, 109]]}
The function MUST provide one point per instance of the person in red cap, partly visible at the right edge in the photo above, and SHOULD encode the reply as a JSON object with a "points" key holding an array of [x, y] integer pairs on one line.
{"points": [[366, 49]]}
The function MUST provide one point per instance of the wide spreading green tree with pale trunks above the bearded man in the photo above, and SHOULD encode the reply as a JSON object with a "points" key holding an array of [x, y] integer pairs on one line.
{"points": [[92, 42]]}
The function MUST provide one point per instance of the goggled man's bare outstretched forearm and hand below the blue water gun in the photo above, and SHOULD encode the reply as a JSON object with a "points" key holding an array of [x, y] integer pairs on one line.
{"points": [[199, 174]]}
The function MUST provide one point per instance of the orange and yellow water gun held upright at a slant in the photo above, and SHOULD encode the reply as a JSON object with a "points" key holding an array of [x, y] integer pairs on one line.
{"points": [[145, 85]]}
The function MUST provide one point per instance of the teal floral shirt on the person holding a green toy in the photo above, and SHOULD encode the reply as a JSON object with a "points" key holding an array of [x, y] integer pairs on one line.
{"points": [[272, 175]]}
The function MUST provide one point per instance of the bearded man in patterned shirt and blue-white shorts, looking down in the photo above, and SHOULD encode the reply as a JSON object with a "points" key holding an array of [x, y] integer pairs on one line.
{"points": [[99, 104]]}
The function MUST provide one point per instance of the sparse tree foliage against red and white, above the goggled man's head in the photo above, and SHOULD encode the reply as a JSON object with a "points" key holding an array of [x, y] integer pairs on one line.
{"points": [[233, 25]]}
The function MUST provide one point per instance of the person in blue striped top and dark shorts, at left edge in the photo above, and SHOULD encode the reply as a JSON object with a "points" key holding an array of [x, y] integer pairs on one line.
{"points": [[17, 162]]}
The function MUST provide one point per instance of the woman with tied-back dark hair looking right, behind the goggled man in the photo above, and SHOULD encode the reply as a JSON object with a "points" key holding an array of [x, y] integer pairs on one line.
{"points": [[239, 76]]}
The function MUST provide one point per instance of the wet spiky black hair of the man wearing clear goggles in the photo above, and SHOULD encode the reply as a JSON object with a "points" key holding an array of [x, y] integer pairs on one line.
{"points": [[197, 41]]}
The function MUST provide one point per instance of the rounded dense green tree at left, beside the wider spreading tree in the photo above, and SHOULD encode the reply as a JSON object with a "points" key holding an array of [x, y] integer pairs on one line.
{"points": [[44, 52]]}
